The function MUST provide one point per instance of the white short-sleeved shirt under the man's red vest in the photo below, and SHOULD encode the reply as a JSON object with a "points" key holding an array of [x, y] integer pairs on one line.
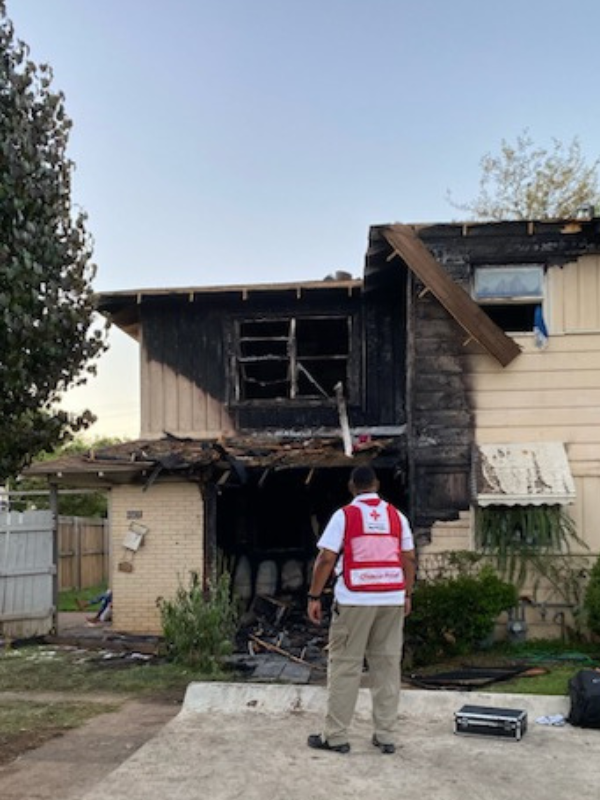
{"points": [[332, 538]]}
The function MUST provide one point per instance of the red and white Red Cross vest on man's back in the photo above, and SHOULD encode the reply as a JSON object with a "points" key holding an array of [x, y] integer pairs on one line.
{"points": [[372, 547]]}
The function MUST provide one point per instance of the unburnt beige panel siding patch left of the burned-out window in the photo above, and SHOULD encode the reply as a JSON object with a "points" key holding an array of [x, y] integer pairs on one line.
{"points": [[171, 402]]}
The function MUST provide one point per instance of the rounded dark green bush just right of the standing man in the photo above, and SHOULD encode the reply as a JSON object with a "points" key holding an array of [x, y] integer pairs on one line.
{"points": [[454, 615]]}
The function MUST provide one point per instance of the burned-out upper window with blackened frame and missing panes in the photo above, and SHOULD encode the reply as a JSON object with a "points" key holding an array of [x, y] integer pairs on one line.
{"points": [[301, 357]]}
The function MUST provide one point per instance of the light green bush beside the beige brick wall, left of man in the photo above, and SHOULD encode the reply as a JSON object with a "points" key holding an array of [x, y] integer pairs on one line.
{"points": [[198, 625]]}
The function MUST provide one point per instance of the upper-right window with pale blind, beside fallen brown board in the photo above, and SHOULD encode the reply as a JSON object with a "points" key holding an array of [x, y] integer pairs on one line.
{"points": [[512, 296]]}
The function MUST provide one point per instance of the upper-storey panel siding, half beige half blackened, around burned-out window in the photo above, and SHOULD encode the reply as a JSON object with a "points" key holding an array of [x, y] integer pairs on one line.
{"points": [[188, 360]]}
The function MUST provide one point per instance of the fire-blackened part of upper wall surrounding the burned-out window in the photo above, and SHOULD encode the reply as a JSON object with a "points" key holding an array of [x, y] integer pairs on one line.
{"points": [[199, 339]]}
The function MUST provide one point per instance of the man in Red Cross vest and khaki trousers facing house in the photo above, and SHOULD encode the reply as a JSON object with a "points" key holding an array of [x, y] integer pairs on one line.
{"points": [[370, 546]]}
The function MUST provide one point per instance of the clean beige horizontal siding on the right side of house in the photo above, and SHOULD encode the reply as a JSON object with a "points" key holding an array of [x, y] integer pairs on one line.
{"points": [[553, 394]]}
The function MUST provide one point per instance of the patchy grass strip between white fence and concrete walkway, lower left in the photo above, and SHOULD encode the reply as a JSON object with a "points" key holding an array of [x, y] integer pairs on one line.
{"points": [[45, 668]]}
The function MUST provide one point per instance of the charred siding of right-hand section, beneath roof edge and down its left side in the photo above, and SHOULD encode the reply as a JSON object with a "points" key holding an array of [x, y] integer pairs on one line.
{"points": [[441, 420]]}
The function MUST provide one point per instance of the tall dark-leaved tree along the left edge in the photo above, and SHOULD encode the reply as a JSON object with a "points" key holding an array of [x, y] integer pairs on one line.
{"points": [[47, 342]]}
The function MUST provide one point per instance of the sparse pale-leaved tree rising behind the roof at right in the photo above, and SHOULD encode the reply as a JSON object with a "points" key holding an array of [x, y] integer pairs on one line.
{"points": [[526, 181]]}
